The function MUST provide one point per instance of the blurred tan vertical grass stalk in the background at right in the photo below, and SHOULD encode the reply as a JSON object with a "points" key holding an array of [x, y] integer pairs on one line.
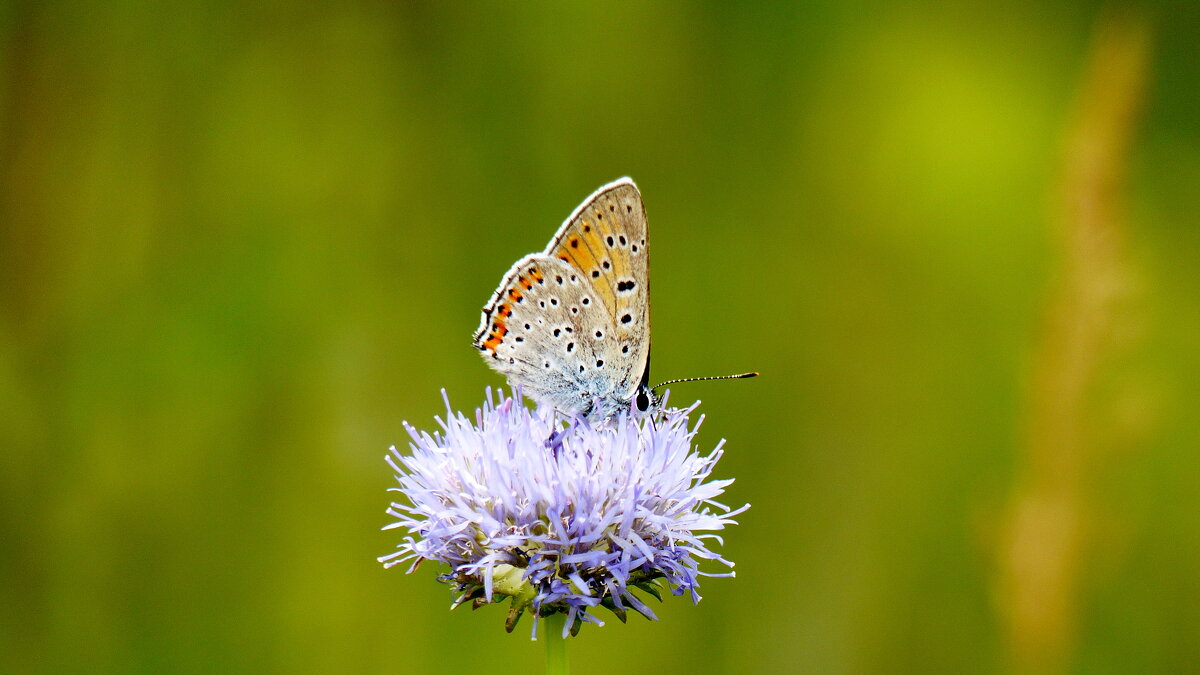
{"points": [[1045, 541]]}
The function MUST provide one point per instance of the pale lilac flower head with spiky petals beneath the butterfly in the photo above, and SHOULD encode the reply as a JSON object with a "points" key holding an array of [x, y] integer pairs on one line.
{"points": [[560, 515]]}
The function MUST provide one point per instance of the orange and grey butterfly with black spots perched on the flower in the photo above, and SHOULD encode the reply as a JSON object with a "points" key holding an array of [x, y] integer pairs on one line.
{"points": [[572, 326]]}
